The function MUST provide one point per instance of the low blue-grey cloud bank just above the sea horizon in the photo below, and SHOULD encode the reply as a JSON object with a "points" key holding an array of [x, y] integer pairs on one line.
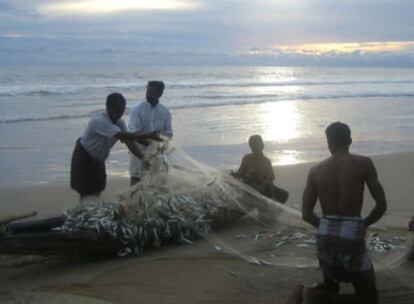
{"points": [[56, 50]]}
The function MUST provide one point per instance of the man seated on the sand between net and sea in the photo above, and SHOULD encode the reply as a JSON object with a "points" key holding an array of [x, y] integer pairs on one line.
{"points": [[257, 172]]}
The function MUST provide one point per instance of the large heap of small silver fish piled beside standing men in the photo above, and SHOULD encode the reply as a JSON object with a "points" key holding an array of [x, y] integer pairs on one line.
{"points": [[164, 206]]}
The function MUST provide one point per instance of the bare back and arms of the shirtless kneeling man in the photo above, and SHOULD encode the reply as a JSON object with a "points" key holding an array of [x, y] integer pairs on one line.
{"points": [[338, 182]]}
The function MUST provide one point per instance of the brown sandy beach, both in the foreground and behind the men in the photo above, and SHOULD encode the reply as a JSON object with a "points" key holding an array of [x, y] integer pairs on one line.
{"points": [[197, 273]]}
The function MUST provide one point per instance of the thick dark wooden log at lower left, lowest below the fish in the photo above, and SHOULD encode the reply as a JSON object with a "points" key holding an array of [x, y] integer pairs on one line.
{"points": [[81, 243]]}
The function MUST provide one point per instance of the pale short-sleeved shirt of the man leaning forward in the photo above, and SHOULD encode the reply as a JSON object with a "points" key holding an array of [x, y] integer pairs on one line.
{"points": [[98, 138]]}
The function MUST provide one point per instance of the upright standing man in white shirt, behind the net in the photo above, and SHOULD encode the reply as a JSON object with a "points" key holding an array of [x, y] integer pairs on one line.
{"points": [[145, 117]]}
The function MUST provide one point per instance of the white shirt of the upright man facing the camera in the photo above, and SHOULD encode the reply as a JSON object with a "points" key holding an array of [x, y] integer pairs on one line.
{"points": [[145, 118]]}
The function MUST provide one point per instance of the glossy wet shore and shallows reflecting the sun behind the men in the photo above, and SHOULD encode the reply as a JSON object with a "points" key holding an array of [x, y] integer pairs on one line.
{"points": [[292, 131]]}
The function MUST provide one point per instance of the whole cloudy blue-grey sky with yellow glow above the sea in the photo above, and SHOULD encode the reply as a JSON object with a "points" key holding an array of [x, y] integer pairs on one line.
{"points": [[214, 32]]}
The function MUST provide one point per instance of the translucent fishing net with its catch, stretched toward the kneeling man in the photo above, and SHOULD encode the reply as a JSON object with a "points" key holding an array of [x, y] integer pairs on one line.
{"points": [[180, 200]]}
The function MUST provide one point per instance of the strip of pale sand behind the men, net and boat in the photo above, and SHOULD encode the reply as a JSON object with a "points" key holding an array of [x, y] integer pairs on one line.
{"points": [[394, 171]]}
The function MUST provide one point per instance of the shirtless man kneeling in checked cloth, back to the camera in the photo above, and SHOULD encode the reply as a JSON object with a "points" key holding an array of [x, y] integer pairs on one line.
{"points": [[338, 182]]}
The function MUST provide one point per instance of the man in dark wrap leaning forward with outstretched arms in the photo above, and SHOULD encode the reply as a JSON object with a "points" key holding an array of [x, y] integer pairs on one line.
{"points": [[88, 174]]}
